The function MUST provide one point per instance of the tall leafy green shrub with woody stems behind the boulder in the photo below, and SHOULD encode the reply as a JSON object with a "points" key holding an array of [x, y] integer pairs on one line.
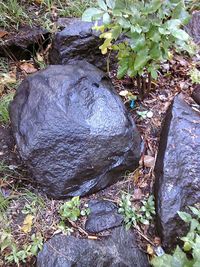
{"points": [[145, 32]]}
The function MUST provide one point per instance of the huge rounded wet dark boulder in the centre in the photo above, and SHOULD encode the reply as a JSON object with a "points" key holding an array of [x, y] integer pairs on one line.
{"points": [[73, 131]]}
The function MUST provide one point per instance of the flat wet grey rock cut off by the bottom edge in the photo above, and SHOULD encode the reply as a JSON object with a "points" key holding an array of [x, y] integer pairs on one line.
{"points": [[119, 250]]}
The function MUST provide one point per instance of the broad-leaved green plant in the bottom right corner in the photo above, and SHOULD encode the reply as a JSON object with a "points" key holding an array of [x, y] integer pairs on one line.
{"points": [[191, 244]]}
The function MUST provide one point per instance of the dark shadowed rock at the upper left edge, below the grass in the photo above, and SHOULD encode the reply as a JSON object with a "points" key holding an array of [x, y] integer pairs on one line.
{"points": [[25, 43]]}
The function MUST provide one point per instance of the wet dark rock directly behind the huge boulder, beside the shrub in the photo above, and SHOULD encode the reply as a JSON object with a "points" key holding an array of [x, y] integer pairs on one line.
{"points": [[77, 41]]}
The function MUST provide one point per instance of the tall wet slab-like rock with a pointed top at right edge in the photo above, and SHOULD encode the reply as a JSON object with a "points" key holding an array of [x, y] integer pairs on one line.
{"points": [[177, 169]]}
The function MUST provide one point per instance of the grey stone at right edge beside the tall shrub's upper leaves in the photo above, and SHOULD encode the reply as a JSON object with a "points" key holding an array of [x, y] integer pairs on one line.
{"points": [[193, 27]]}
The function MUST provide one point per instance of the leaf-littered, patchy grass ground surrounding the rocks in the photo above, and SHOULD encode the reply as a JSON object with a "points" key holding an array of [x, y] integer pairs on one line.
{"points": [[19, 197]]}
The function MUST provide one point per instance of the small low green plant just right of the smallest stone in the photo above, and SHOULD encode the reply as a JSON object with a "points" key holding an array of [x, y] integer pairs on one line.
{"points": [[133, 216]]}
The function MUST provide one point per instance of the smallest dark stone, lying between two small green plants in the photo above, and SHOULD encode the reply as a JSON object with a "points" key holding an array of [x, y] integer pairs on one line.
{"points": [[103, 216]]}
